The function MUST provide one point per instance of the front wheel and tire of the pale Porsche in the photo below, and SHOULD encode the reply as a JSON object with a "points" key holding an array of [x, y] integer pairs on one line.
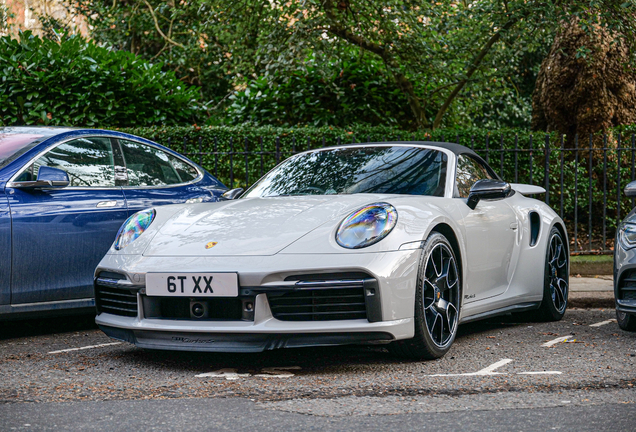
{"points": [[437, 302]]}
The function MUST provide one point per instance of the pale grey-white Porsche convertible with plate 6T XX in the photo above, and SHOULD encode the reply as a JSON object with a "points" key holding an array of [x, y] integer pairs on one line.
{"points": [[387, 243]]}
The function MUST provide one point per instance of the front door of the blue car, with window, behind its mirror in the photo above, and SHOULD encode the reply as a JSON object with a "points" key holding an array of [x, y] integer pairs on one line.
{"points": [[60, 235]]}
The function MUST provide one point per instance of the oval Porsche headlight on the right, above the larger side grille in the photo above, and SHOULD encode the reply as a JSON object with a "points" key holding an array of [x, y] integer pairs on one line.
{"points": [[366, 226]]}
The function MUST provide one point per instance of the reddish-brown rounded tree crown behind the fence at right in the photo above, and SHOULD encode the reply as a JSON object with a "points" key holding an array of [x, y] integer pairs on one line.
{"points": [[586, 84]]}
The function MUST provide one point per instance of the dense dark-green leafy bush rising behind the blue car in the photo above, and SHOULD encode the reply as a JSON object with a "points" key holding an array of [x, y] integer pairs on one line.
{"points": [[77, 83]]}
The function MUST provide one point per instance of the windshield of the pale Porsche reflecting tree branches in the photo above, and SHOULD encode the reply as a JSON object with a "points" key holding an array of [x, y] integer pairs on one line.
{"points": [[394, 170]]}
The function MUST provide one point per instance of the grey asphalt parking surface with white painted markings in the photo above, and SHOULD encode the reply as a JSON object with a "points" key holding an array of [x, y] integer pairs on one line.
{"points": [[499, 375]]}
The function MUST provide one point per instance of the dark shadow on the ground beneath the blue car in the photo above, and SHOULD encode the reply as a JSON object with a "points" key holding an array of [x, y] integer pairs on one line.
{"points": [[46, 326]]}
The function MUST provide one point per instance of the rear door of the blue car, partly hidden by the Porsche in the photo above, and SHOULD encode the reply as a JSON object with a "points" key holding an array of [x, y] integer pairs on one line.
{"points": [[156, 177]]}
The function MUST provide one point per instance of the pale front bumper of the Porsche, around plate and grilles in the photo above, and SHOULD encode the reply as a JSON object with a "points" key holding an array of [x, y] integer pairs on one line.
{"points": [[388, 317]]}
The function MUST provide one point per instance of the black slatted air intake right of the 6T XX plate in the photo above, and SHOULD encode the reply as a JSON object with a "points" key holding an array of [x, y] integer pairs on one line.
{"points": [[320, 301]]}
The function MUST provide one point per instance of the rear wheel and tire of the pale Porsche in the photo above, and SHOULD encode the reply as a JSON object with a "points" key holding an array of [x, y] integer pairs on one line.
{"points": [[556, 278]]}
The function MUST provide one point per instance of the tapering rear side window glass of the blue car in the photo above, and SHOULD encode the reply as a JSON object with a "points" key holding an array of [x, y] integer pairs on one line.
{"points": [[149, 166]]}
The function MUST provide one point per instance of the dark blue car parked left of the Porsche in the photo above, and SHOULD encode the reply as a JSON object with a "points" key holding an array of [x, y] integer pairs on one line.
{"points": [[64, 193]]}
